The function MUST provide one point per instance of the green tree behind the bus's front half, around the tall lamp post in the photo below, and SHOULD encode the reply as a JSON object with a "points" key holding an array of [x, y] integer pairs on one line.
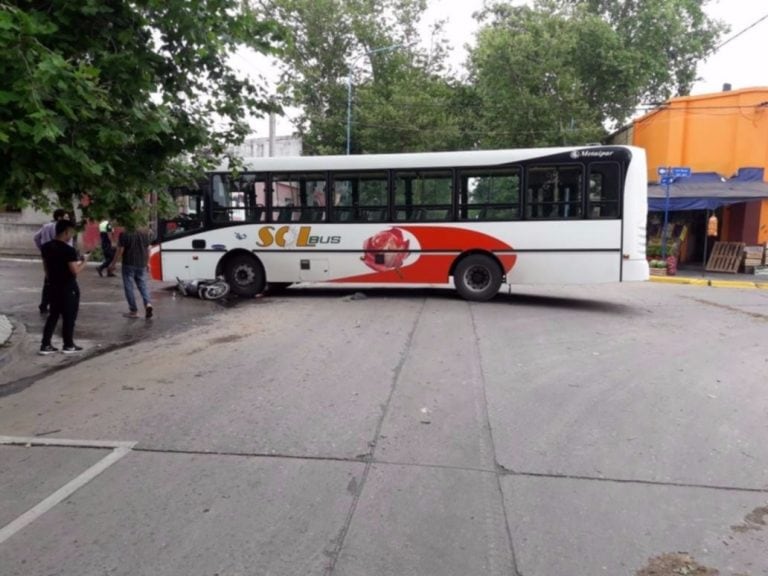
{"points": [[402, 98]]}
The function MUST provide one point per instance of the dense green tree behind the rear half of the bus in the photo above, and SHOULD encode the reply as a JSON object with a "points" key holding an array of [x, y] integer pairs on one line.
{"points": [[560, 71]]}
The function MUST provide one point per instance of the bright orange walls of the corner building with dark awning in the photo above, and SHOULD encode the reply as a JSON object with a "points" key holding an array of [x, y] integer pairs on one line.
{"points": [[721, 133]]}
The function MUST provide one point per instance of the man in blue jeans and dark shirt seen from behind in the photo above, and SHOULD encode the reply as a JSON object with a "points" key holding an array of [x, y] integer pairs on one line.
{"points": [[133, 254]]}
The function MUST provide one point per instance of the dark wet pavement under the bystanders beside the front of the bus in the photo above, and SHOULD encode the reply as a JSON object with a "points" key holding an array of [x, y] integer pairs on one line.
{"points": [[100, 325]]}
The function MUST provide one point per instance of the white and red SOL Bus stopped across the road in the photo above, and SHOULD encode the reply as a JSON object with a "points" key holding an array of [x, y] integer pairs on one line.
{"points": [[476, 219]]}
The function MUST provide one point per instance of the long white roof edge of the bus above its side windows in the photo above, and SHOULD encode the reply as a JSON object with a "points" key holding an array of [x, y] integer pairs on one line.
{"points": [[414, 160]]}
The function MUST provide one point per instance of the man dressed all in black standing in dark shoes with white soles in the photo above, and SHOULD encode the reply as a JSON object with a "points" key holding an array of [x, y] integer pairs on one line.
{"points": [[62, 267]]}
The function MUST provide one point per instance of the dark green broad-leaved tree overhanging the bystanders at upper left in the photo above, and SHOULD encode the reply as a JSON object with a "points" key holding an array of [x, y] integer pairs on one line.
{"points": [[116, 99]]}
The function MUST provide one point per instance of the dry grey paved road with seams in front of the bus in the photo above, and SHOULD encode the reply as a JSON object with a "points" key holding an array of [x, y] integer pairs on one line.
{"points": [[554, 431]]}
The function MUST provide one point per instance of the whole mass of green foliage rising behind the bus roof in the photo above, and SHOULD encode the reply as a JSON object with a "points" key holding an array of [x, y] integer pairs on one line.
{"points": [[553, 73]]}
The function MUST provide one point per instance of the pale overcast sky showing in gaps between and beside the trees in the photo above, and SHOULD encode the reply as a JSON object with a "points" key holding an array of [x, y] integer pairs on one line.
{"points": [[740, 62]]}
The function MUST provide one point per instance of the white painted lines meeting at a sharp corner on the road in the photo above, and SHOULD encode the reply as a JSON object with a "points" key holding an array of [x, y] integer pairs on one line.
{"points": [[119, 449]]}
